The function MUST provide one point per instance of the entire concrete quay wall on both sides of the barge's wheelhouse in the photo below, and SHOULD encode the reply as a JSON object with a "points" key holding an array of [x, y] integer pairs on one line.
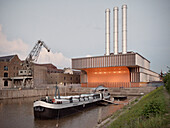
{"points": [[16, 93]]}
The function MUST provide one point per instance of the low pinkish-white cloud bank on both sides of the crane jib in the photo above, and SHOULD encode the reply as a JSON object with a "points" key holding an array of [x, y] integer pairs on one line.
{"points": [[22, 49]]}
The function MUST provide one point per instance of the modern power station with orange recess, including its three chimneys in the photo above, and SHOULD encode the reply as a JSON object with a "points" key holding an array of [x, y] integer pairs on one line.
{"points": [[118, 69]]}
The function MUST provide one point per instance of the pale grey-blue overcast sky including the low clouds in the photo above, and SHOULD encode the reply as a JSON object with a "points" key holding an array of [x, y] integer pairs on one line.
{"points": [[76, 28]]}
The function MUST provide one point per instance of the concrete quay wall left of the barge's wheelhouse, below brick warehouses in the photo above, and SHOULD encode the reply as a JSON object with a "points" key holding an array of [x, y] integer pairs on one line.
{"points": [[22, 93]]}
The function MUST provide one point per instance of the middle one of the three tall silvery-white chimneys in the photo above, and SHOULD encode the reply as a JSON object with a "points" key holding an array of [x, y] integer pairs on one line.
{"points": [[115, 29]]}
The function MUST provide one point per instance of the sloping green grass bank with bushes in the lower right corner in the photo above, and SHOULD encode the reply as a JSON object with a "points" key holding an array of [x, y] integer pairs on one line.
{"points": [[147, 113]]}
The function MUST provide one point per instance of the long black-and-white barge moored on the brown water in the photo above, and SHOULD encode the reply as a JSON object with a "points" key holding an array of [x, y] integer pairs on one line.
{"points": [[61, 106]]}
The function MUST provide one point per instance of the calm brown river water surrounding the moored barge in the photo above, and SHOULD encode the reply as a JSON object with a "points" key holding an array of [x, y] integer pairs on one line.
{"points": [[18, 113]]}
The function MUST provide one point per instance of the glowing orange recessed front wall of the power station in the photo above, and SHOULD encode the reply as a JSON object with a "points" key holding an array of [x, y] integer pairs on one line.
{"points": [[109, 76]]}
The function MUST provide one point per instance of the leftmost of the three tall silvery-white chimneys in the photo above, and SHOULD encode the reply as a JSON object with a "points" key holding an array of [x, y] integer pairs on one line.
{"points": [[107, 32]]}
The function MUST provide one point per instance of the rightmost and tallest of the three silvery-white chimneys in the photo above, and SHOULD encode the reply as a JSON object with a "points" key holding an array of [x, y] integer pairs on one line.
{"points": [[124, 29]]}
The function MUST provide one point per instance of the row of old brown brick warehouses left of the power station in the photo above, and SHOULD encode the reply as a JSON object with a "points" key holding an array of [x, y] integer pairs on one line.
{"points": [[12, 74]]}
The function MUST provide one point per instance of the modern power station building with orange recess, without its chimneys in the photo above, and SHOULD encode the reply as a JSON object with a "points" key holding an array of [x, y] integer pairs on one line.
{"points": [[125, 70]]}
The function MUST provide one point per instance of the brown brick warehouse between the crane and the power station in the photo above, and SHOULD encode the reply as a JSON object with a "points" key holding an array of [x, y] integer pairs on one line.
{"points": [[52, 75]]}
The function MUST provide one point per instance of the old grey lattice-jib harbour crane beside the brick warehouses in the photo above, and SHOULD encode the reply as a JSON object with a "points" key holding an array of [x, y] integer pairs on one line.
{"points": [[27, 70]]}
